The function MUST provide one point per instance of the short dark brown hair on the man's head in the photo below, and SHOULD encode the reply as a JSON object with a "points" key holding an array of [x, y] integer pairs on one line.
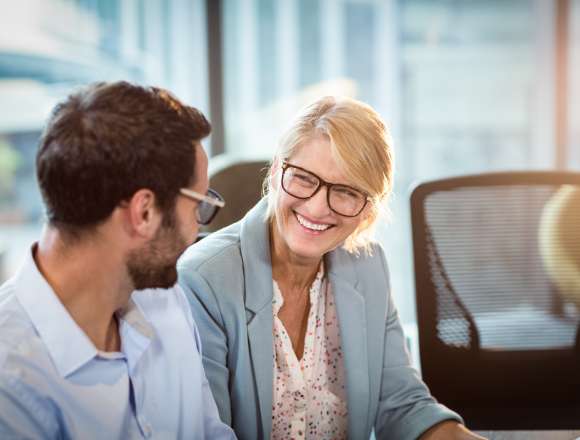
{"points": [[107, 141]]}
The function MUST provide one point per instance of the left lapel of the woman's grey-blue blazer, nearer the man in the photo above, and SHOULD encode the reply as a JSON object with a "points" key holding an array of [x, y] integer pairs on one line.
{"points": [[255, 248]]}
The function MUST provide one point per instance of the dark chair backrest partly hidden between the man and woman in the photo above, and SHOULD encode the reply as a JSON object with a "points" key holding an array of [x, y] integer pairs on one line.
{"points": [[239, 180]]}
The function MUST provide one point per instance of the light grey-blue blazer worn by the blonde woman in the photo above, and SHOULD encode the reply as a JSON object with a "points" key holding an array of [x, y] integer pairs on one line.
{"points": [[228, 280]]}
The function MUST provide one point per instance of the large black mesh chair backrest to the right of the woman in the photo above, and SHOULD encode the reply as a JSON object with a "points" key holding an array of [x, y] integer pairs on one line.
{"points": [[497, 272]]}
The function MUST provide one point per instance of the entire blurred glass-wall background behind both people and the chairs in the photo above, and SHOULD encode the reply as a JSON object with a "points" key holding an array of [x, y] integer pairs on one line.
{"points": [[465, 85]]}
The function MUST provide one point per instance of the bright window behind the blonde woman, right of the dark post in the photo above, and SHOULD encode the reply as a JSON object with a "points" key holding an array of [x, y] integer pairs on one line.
{"points": [[465, 86]]}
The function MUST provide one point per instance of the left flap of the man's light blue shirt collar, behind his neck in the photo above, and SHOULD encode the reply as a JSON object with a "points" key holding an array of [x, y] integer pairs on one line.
{"points": [[68, 346]]}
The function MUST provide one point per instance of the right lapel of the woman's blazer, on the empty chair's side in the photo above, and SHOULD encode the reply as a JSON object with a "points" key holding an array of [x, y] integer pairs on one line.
{"points": [[350, 305]]}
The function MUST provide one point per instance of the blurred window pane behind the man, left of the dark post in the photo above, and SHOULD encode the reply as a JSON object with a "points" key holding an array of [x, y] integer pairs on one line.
{"points": [[49, 46]]}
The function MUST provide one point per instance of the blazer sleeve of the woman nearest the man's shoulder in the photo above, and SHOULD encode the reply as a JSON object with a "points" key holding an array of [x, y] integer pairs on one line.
{"points": [[209, 320]]}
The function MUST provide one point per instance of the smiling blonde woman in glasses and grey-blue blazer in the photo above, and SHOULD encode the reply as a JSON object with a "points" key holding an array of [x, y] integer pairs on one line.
{"points": [[299, 333]]}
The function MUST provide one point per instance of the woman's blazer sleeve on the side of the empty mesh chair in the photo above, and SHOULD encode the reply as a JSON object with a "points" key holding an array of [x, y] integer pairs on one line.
{"points": [[406, 408]]}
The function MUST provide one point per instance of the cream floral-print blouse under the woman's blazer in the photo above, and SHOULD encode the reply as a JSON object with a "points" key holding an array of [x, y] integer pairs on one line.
{"points": [[309, 396]]}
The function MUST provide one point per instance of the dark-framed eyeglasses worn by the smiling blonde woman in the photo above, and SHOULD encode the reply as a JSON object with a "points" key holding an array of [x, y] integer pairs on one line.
{"points": [[303, 184]]}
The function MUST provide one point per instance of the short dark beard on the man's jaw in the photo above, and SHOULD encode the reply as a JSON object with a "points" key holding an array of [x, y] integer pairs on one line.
{"points": [[154, 266]]}
